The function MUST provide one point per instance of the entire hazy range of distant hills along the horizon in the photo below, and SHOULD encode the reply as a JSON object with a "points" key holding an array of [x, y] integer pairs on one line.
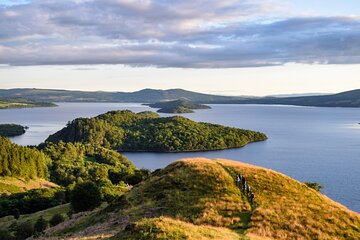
{"points": [[344, 99]]}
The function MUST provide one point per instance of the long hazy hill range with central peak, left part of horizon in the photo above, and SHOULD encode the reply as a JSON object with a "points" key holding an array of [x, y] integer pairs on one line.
{"points": [[142, 96]]}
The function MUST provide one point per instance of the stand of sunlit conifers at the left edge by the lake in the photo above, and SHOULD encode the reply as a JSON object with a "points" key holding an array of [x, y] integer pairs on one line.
{"points": [[18, 161]]}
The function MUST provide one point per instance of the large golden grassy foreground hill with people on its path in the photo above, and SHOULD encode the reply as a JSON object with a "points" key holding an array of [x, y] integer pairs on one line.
{"points": [[198, 199]]}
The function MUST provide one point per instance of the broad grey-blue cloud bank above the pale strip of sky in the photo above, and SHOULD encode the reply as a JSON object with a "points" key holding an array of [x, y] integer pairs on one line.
{"points": [[164, 33]]}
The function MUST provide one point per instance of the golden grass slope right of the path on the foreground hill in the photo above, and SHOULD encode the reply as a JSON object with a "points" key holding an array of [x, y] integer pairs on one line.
{"points": [[289, 209]]}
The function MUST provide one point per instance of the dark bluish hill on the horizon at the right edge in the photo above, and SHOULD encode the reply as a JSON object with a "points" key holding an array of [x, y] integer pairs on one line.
{"points": [[343, 99]]}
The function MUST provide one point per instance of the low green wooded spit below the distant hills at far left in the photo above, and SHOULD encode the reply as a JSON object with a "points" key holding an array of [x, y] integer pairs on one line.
{"points": [[6, 103]]}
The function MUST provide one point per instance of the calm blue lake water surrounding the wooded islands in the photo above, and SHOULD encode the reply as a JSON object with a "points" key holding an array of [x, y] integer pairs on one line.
{"points": [[308, 144]]}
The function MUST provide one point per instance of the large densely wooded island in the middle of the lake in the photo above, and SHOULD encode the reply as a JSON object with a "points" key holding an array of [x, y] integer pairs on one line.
{"points": [[146, 131]]}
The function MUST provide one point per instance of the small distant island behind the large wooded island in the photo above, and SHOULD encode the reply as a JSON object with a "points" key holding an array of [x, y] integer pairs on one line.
{"points": [[177, 106]]}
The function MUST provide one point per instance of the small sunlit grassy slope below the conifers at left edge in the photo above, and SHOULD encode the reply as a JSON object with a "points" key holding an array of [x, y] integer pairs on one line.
{"points": [[14, 185]]}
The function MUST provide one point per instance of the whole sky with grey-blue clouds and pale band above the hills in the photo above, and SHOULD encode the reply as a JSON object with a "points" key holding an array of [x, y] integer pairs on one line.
{"points": [[243, 47]]}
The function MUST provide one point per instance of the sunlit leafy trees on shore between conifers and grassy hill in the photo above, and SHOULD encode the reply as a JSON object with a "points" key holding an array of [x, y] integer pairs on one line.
{"points": [[74, 163]]}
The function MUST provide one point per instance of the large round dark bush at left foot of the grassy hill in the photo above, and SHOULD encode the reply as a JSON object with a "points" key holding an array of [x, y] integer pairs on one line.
{"points": [[85, 196]]}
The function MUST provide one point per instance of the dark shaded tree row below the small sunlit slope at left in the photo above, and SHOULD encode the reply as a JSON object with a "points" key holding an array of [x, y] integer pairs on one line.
{"points": [[31, 201]]}
